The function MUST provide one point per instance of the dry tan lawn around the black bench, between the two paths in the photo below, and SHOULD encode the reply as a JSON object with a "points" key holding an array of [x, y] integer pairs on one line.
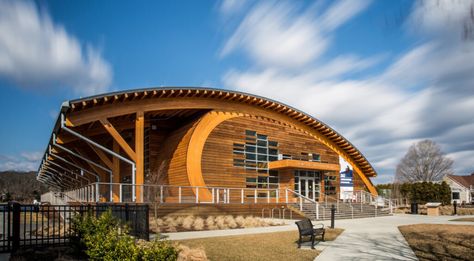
{"points": [[267, 246]]}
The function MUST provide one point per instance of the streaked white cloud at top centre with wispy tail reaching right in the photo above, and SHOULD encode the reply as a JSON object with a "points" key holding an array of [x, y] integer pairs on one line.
{"points": [[276, 34]]}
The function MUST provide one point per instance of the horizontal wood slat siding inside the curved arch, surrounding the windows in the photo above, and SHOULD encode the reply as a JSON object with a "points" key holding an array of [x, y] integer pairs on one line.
{"points": [[217, 160]]}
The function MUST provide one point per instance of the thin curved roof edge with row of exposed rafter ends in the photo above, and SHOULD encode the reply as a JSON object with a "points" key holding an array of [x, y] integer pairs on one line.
{"points": [[85, 105]]}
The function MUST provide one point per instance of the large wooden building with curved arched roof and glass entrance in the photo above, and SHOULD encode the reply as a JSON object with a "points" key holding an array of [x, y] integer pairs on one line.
{"points": [[197, 144]]}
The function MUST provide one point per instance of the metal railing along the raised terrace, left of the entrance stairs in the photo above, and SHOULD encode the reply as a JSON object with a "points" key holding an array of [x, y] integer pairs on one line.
{"points": [[122, 193]]}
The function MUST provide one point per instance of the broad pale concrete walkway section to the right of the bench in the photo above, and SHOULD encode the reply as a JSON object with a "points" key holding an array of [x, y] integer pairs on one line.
{"points": [[377, 238]]}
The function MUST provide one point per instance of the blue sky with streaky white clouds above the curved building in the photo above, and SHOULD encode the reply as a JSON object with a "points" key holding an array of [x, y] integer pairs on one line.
{"points": [[385, 74]]}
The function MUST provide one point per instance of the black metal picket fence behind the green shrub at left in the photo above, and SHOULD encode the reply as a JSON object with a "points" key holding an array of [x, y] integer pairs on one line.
{"points": [[50, 225]]}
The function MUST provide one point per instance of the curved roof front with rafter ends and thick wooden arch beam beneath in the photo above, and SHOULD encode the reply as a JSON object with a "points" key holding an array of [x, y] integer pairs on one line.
{"points": [[86, 110]]}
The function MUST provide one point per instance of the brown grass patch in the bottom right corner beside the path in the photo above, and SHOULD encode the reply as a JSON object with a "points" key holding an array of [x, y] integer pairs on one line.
{"points": [[440, 242]]}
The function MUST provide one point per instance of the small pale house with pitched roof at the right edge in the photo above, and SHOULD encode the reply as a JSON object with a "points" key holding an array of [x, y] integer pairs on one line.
{"points": [[462, 188]]}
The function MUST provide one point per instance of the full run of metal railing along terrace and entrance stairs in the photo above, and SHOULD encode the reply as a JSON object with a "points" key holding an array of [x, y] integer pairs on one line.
{"points": [[163, 194]]}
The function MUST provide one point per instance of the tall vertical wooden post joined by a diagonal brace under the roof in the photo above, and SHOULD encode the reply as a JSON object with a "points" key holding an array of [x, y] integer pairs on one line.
{"points": [[139, 152]]}
